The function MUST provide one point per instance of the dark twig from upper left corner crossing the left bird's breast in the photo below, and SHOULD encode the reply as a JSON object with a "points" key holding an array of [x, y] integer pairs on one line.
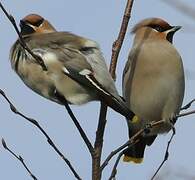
{"points": [[21, 40]]}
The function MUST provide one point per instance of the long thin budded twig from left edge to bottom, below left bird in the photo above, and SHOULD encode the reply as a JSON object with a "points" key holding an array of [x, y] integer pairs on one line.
{"points": [[49, 140]]}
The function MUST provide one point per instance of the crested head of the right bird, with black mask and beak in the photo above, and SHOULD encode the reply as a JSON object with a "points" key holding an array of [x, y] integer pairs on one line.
{"points": [[156, 28]]}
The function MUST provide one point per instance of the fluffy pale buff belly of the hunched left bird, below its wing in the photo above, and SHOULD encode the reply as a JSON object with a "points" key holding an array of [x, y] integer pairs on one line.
{"points": [[45, 83]]}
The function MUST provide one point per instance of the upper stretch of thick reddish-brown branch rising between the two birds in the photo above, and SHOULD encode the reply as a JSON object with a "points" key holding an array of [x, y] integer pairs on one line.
{"points": [[116, 47]]}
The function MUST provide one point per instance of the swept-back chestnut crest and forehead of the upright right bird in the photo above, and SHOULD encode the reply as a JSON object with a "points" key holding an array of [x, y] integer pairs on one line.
{"points": [[151, 22]]}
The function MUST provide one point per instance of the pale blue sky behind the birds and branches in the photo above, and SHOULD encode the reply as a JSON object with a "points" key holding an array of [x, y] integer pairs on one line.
{"points": [[99, 20]]}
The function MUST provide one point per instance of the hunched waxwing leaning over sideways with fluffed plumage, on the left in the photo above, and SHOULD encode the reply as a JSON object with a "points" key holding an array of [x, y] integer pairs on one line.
{"points": [[76, 70]]}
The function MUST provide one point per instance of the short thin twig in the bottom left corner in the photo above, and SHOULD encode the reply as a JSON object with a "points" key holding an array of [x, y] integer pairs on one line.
{"points": [[19, 158]]}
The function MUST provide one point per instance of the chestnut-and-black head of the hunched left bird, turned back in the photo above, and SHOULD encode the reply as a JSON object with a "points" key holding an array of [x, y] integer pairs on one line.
{"points": [[33, 24]]}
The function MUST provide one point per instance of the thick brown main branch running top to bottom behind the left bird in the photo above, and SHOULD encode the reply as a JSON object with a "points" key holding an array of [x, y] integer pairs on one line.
{"points": [[96, 158]]}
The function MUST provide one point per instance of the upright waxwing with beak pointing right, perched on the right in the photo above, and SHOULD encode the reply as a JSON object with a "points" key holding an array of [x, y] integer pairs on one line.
{"points": [[153, 82]]}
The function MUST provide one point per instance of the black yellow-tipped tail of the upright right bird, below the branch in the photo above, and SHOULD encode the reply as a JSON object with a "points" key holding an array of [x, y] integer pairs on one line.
{"points": [[135, 153]]}
